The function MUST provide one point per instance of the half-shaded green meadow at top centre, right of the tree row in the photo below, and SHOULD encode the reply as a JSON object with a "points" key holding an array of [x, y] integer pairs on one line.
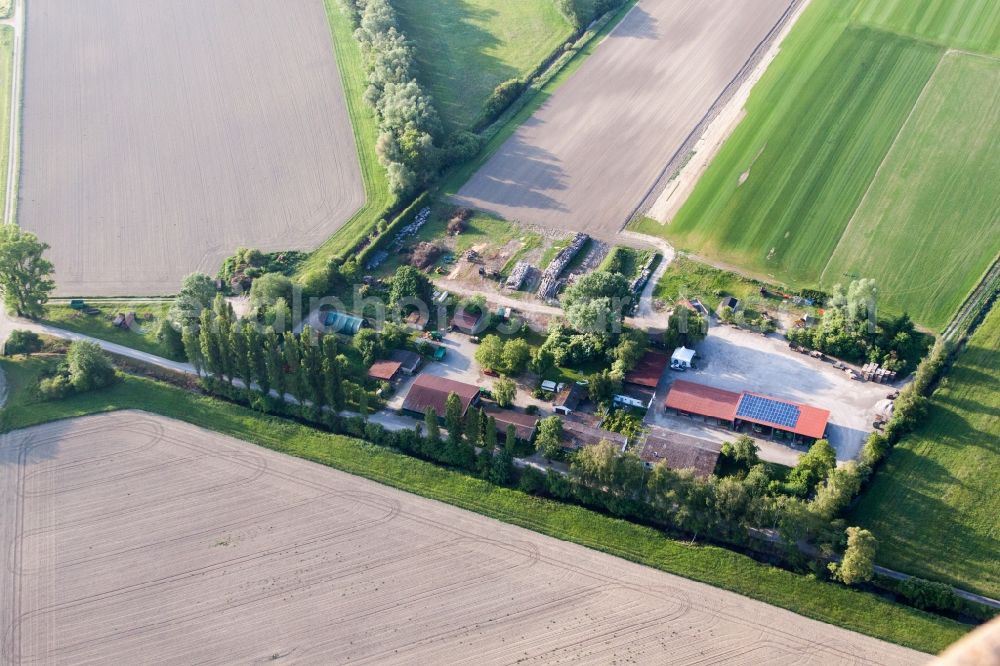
{"points": [[465, 48]]}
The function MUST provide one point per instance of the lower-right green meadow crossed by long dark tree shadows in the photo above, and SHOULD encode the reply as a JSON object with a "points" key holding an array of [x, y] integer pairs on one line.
{"points": [[935, 505]]}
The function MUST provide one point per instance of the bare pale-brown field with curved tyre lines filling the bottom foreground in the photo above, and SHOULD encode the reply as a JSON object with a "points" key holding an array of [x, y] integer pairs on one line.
{"points": [[129, 537]]}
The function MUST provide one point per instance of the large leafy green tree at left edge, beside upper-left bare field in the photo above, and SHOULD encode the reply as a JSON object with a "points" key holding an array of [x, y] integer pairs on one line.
{"points": [[25, 275]]}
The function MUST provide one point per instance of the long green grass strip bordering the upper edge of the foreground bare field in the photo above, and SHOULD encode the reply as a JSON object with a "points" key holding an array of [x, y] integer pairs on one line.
{"points": [[827, 602]]}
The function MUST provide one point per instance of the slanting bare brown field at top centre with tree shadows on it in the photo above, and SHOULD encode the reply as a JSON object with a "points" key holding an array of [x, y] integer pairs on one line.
{"points": [[593, 151]]}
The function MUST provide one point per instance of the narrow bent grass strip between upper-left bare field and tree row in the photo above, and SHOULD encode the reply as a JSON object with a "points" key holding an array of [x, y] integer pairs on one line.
{"points": [[377, 196]]}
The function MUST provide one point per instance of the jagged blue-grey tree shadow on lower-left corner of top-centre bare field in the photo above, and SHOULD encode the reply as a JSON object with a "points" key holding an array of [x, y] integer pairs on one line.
{"points": [[519, 176]]}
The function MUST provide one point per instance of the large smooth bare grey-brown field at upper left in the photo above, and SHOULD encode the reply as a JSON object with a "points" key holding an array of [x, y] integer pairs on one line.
{"points": [[159, 136]]}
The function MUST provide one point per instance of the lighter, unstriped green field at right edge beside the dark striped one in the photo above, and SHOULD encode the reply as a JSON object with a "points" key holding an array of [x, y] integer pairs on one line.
{"points": [[935, 203]]}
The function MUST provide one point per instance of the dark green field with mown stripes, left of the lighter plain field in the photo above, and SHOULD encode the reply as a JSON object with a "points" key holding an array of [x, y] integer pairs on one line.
{"points": [[804, 168]]}
